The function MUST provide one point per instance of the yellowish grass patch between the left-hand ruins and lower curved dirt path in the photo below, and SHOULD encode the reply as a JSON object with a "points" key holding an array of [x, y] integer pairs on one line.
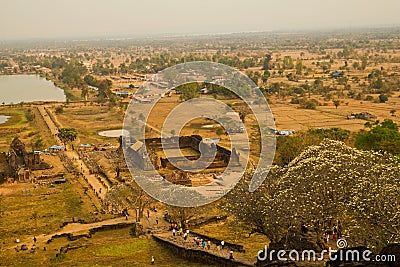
{"points": [[37, 210]]}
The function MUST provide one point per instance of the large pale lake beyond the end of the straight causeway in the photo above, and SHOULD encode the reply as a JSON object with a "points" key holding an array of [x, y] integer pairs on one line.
{"points": [[28, 88]]}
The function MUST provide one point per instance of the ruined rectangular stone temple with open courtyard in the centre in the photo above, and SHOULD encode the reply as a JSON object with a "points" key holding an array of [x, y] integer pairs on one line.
{"points": [[194, 146]]}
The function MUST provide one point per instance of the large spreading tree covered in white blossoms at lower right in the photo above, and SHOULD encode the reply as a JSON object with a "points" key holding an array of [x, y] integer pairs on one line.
{"points": [[361, 189]]}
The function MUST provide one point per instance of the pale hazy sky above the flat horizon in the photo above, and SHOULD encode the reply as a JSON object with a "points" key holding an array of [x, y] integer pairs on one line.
{"points": [[22, 19]]}
